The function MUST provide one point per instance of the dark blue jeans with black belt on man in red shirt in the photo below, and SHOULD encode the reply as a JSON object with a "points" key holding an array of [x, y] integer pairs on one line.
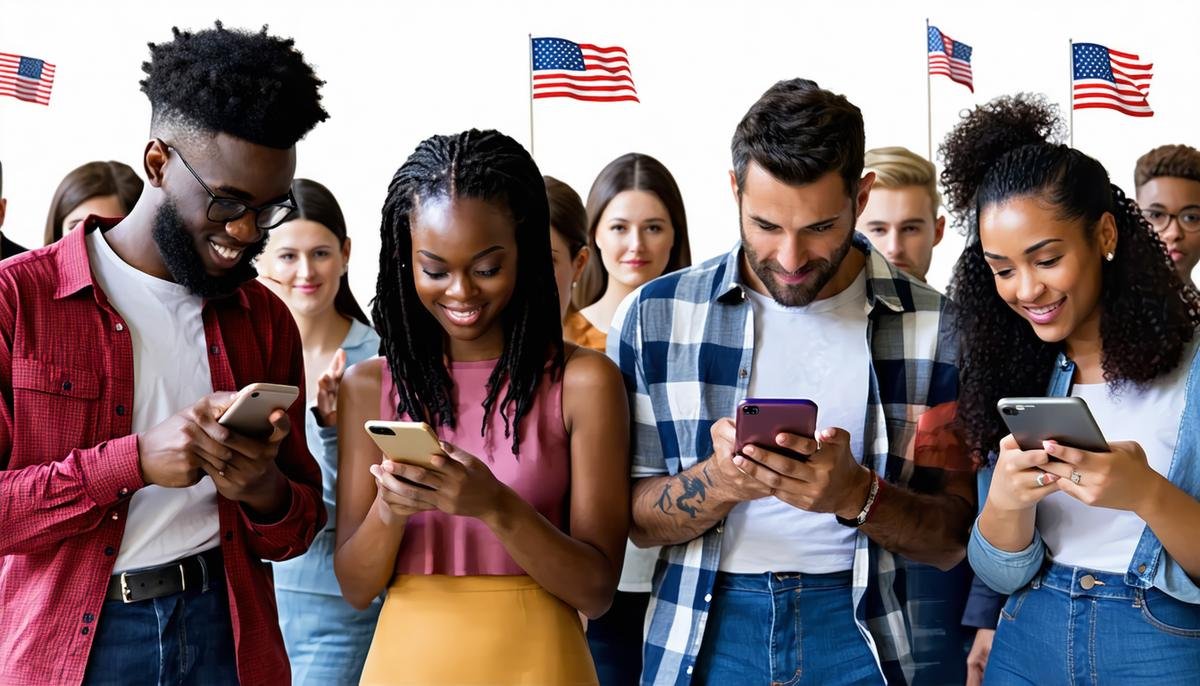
{"points": [[177, 640]]}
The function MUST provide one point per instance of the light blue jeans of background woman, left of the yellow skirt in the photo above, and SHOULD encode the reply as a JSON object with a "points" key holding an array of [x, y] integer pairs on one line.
{"points": [[327, 640]]}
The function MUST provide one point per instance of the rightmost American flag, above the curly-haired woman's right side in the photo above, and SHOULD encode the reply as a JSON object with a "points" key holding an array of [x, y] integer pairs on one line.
{"points": [[1111, 80]]}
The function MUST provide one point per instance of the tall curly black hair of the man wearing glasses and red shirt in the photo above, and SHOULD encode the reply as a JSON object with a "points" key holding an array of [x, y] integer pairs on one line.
{"points": [[255, 87]]}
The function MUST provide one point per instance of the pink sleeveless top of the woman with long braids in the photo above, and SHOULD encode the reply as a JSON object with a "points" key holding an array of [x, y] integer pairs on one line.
{"points": [[440, 544]]}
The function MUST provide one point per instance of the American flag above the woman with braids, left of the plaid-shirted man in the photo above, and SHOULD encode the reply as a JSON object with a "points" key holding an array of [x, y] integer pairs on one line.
{"points": [[581, 71]]}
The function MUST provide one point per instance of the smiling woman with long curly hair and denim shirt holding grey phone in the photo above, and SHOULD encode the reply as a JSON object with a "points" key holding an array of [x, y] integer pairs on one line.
{"points": [[1065, 290]]}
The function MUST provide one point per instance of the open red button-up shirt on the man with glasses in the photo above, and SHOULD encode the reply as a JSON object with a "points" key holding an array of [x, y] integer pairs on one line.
{"points": [[69, 464]]}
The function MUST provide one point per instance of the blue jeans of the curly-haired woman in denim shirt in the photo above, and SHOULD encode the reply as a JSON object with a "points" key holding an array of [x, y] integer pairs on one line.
{"points": [[1057, 631]]}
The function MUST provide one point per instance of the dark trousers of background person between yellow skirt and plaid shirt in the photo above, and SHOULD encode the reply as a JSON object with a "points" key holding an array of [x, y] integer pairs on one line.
{"points": [[616, 640]]}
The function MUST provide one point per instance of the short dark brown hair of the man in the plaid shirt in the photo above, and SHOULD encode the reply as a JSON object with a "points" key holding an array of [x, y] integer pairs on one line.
{"points": [[800, 133]]}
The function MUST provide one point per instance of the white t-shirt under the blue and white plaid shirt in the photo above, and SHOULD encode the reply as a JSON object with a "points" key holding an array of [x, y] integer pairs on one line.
{"points": [[818, 352]]}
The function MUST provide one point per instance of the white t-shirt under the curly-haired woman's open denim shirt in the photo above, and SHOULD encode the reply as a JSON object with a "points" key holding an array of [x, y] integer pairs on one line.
{"points": [[1099, 538]]}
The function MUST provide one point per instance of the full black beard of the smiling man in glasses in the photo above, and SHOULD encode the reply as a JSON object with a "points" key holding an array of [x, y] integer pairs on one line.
{"points": [[178, 250]]}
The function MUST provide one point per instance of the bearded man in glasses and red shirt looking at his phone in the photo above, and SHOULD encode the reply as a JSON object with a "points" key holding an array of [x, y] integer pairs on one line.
{"points": [[136, 526]]}
